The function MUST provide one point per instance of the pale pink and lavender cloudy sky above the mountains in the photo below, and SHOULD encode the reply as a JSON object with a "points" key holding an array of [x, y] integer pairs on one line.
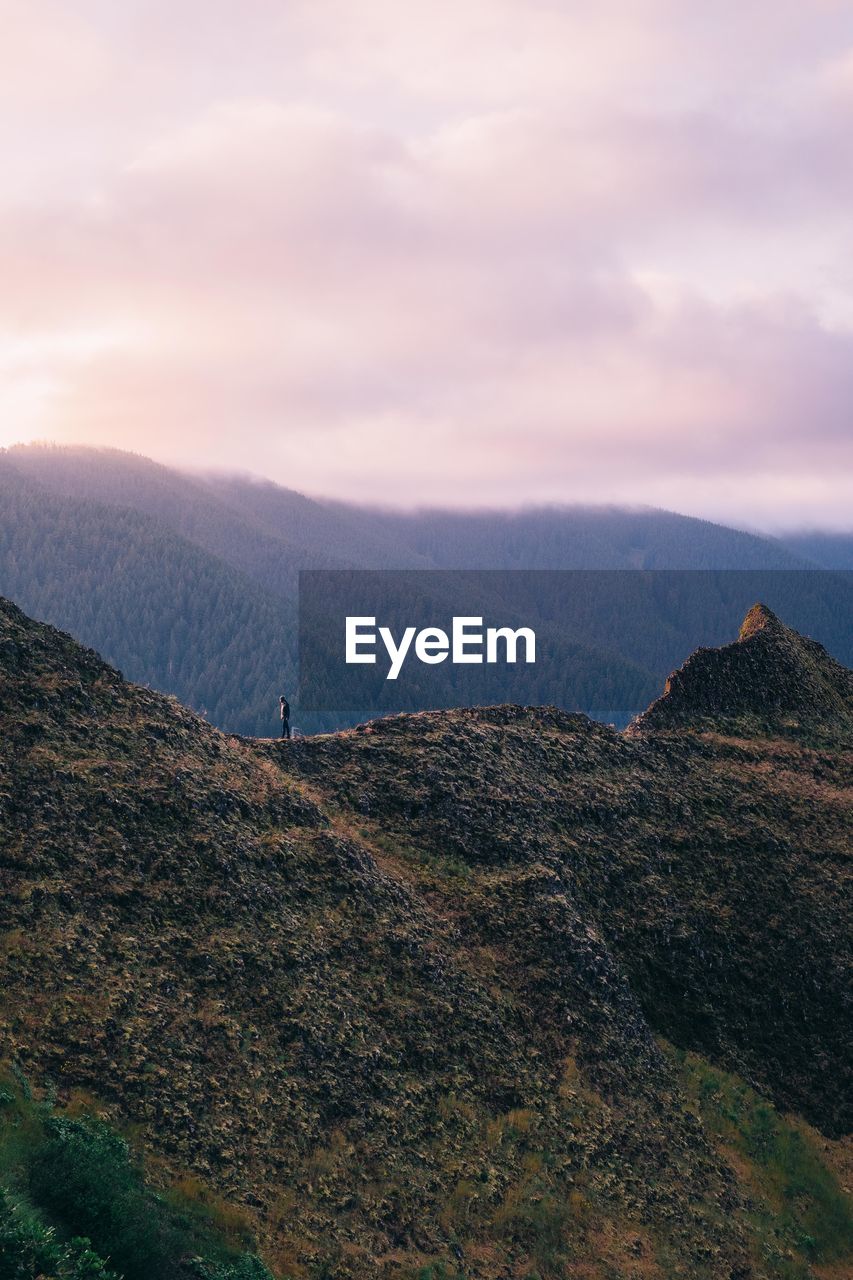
{"points": [[472, 253]]}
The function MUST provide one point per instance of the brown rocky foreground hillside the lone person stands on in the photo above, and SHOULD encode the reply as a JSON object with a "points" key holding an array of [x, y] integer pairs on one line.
{"points": [[486, 994]]}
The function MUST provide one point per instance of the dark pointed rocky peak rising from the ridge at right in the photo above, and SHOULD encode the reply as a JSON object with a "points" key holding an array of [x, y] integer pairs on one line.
{"points": [[772, 680]]}
